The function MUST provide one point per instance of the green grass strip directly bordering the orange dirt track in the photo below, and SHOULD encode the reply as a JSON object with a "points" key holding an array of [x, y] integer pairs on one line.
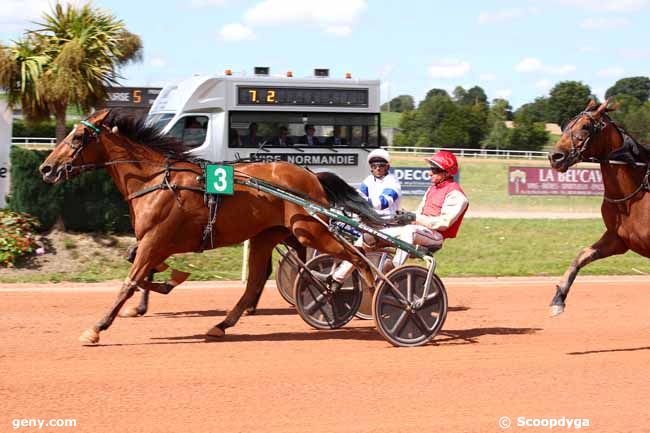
{"points": [[485, 247]]}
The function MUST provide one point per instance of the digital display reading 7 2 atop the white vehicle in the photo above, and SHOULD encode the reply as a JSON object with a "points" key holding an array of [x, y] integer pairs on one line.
{"points": [[301, 96]]}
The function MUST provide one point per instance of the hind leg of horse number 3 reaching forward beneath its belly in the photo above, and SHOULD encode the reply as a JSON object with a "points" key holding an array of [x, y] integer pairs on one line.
{"points": [[261, 247]]}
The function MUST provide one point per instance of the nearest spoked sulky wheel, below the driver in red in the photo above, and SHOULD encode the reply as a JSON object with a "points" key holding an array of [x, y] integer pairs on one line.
{"points": [[404, 318]]}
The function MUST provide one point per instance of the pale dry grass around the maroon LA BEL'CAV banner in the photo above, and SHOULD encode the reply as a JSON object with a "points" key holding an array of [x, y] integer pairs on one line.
{"points": [[486, 184]]}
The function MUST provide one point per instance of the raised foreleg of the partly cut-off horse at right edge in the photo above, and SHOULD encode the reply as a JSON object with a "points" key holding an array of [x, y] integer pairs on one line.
{"points": [[608, 245]]}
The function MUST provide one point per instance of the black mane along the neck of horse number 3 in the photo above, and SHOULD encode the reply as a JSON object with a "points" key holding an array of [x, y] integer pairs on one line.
{"points": [[139, 131]]}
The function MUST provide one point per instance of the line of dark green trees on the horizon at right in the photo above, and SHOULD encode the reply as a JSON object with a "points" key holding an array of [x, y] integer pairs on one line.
{"points": [[466, 119]]}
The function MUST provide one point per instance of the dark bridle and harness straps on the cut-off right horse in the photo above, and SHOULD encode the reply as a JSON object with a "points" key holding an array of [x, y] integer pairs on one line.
{"points": [[576, 154]]}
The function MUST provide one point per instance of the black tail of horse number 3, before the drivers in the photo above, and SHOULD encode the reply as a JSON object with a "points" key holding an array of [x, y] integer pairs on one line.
{"points": [[339, 193]]}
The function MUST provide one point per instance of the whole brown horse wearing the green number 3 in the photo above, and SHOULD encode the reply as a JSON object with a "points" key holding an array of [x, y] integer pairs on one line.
{"points": [[169, 215]]}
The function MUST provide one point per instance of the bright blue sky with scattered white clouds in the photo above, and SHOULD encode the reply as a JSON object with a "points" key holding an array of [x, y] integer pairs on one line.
{"points": [[513, 49]]}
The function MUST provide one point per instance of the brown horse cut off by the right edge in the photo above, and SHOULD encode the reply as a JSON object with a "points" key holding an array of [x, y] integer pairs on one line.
{"points": [[592, 136]]}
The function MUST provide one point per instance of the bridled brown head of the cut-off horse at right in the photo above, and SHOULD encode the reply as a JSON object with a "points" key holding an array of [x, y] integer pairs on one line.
{"points": [[581, 137]]}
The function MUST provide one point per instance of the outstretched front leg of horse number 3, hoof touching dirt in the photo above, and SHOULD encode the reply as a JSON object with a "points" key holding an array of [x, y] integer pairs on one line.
{"points": [[147, 258]]}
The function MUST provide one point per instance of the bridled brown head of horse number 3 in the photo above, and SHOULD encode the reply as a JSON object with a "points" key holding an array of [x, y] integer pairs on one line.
{"points": [[79, 150]]}
